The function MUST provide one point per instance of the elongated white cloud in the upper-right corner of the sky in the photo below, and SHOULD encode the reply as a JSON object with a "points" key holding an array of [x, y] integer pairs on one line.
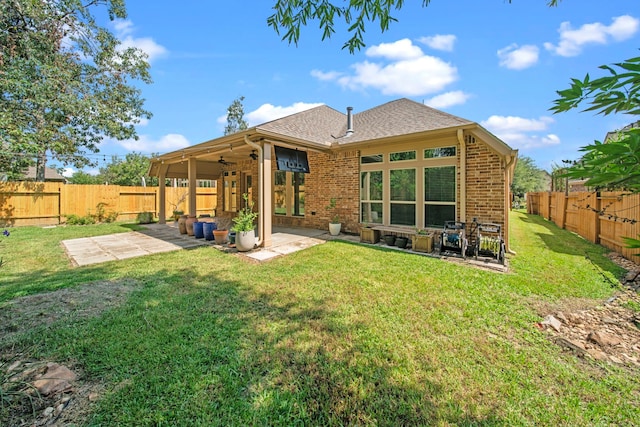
{"points": [[572, 40]]}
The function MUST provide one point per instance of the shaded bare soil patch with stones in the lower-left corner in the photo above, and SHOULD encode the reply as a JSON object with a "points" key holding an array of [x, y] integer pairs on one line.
{"points": [[23, 403]]}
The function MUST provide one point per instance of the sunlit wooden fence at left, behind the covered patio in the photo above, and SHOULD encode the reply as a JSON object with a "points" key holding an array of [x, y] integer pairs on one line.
{"points": [[49, 203]]}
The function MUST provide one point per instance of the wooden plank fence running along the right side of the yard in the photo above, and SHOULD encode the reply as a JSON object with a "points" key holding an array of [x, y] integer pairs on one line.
{"points": [[603, 218]]}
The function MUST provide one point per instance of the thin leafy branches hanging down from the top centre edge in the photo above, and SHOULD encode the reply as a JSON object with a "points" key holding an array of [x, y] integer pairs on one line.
{"points": [[291, 15]]}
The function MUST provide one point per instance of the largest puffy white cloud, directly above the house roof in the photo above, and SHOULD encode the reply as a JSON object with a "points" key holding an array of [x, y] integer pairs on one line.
{"points": [[405, 72]]}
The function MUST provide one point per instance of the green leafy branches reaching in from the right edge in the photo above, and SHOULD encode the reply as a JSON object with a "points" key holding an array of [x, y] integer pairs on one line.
{"points": [[615, 163]]}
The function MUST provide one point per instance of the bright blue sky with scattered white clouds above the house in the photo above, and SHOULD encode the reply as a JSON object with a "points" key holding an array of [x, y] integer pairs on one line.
{"points": [[489, 61]]}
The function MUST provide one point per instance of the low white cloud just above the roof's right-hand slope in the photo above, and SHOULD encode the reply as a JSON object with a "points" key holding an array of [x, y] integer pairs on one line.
{"points": [[520, 132]]}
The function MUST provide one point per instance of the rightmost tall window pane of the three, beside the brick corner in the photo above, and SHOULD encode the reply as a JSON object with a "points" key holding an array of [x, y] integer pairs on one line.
{"points": [[439, 195]]}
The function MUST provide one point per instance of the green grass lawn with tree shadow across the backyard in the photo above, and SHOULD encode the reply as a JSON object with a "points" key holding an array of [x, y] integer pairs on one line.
{"points": [[337, 334]]}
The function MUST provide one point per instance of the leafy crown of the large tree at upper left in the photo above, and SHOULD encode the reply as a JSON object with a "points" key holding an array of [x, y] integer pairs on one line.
{"points": [[66, 82]]}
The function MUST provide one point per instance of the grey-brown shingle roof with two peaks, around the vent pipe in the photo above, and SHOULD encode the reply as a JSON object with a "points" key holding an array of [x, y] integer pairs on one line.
{"points": [[324, 125]]}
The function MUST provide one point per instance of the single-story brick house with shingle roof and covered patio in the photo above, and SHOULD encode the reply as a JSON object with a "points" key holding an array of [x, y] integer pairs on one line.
{"points": [[401, 164]]}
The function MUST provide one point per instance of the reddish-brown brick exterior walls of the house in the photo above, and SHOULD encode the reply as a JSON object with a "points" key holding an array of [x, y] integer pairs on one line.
{"points": [[337, 175]]}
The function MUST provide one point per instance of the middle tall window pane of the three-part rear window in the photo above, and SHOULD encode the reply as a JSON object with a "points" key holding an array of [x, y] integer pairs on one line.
{"points": [[403, 196]]}
